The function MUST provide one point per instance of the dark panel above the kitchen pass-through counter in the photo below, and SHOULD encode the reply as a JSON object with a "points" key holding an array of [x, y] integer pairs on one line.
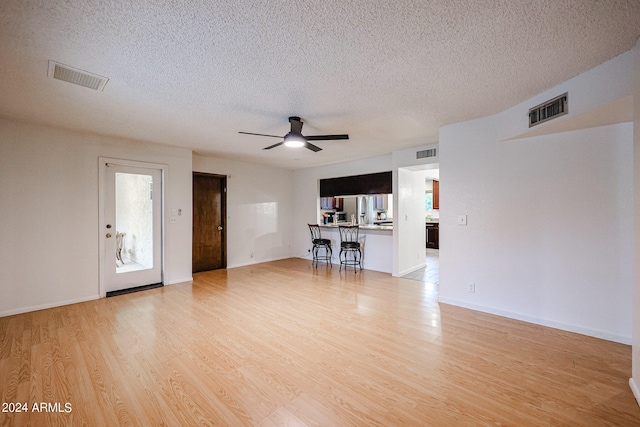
{"points": [[373, 183]]}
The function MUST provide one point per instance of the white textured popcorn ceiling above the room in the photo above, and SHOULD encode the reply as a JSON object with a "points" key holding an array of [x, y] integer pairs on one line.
{"points": [[193, 73]]}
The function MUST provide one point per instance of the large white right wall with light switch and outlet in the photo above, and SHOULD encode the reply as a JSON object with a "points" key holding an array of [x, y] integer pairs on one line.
{"points": [[549, 228]]}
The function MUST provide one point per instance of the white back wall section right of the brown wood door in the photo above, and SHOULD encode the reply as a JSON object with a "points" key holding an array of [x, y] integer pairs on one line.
{"points": [[260, 206]]}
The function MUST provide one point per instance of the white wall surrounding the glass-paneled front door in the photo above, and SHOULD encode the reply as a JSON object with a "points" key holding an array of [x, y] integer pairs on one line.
{"points": [[49, 208]]}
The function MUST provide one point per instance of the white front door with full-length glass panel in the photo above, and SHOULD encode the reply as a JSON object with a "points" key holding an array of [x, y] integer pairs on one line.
{"points": [[132, 226]]}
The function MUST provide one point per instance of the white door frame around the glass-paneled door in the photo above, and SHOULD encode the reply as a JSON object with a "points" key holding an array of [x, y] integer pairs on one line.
{"points": [[102, 287]]}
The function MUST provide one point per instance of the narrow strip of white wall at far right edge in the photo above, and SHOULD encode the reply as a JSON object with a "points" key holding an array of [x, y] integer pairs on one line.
{"points": [[635, 380]]}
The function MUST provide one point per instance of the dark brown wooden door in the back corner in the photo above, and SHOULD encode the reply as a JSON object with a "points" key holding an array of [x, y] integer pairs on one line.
{"points": [[209, 228]]}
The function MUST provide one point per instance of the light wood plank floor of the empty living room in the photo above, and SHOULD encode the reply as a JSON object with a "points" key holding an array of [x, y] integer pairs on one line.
{"points": [[282, 343]]}
